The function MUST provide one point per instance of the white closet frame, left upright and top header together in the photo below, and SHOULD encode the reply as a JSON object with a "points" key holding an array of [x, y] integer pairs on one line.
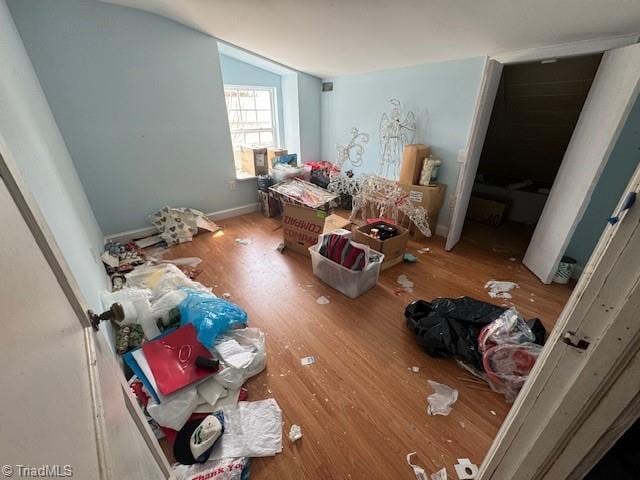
{"points": [[468, 164]]}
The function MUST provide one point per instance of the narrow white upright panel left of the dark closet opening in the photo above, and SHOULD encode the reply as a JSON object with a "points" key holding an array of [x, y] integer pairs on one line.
{"points": [[477, 132]]}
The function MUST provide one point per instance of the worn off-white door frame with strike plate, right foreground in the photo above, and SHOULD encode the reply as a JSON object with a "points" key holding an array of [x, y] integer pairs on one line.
{"points": [[576, 402]]}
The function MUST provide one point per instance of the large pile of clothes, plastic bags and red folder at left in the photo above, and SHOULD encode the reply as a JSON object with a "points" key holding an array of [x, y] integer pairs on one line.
{"points": [[187, 370]]}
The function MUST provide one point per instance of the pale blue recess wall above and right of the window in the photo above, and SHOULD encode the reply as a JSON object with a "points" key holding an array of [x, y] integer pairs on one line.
{"points": [[236, 72]]}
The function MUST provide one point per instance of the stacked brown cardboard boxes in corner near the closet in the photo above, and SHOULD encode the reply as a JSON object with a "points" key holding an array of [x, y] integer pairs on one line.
{"points": [[430, 197]]}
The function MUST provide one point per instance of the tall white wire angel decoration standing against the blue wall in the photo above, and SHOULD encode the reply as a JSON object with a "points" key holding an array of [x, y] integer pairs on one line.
{"points": [[396, 131]]}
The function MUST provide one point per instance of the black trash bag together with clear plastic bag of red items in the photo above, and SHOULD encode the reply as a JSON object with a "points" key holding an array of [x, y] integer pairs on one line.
{"points": [[492, 342]]}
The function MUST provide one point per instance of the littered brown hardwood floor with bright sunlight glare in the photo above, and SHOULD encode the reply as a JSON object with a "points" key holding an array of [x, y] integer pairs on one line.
{"points": [[360, 406]]}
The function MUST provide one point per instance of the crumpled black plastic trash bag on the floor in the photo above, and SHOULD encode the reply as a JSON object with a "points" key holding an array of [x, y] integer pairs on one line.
{"points": [[449, 327]]}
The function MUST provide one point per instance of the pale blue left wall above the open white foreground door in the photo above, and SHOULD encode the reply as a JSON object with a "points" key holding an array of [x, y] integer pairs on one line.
{"points": [[30, 138]]}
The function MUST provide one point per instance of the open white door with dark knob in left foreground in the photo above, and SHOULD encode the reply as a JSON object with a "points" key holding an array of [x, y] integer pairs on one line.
{"points": [[62, 402]]}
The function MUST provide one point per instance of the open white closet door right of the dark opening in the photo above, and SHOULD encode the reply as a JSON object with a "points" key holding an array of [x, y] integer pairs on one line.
{"points": [[612, 95]]}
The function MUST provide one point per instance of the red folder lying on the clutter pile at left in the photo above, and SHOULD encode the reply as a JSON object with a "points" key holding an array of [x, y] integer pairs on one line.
{"points": [[172, 359]]}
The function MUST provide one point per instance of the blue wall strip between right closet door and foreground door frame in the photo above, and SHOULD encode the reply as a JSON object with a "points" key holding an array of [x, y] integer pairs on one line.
{"points": [[623, 161]]}
